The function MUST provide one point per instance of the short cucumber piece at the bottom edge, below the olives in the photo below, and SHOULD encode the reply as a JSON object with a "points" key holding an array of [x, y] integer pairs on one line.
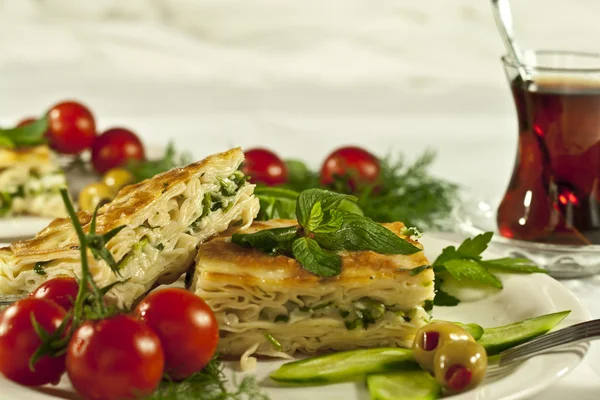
{"points": [[405, 385]]}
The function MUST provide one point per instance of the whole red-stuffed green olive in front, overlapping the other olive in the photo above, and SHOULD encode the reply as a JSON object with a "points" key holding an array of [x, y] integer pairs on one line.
{"points": [[460, 365]]}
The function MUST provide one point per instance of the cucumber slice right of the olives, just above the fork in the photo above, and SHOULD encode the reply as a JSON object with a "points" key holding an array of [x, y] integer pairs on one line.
{"points": [[496, 340]]}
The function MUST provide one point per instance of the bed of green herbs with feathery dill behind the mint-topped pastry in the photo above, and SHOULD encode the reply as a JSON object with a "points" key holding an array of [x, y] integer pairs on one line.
{"points": [[403, 192]]}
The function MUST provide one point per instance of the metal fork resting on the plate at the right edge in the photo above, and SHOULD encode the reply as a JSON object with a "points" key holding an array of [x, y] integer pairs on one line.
{"points": [[573, 334]]}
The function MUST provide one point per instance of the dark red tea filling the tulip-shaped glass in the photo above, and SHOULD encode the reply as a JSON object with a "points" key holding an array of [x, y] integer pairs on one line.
{"points": [[554, 192]]}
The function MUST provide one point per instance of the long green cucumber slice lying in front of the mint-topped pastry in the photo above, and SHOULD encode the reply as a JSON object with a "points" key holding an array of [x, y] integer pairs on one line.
{"points": [[345, 366]]}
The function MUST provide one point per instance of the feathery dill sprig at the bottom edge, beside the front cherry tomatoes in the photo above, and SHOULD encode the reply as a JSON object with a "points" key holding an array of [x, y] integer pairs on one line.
{"points": [[209, 384]]}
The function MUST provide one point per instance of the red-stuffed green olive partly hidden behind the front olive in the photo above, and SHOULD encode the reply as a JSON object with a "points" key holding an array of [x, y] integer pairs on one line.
{"points": [[432, 337]]}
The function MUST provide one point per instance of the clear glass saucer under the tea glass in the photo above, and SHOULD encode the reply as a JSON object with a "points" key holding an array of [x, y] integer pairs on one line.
{"points": [[477, 215]]}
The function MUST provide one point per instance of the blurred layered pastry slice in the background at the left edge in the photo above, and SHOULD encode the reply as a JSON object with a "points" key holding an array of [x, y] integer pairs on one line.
{"points": [[30, 179]]}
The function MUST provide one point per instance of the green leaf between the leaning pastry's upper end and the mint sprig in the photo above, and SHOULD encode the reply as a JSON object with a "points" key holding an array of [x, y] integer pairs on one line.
{"points": [[276, 203]]}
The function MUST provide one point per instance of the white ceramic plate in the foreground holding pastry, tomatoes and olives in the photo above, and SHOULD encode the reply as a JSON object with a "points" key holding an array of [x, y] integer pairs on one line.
{"points": [[523, 296]]}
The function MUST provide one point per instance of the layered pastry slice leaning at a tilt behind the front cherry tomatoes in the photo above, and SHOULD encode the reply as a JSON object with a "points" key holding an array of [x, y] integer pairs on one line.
{"points": [[165, 219]]}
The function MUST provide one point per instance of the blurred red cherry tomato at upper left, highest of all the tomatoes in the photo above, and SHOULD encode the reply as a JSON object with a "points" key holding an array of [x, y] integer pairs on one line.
{"points": [[71, 127]]}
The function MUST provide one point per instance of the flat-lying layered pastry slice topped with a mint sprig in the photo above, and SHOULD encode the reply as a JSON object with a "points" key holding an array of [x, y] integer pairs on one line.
{"points": [[270, 305]]}
